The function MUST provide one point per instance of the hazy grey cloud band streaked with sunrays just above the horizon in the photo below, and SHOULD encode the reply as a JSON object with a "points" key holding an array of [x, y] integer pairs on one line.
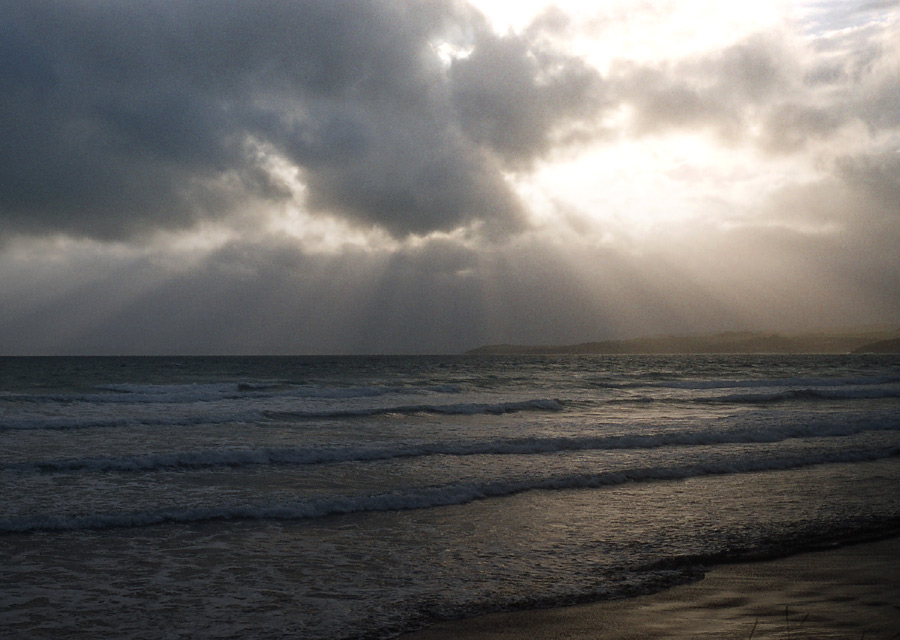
{"points": [[267, 295]]}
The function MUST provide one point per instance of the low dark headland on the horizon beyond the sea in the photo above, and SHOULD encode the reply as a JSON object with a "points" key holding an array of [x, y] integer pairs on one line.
{"points": [[857, 341]]}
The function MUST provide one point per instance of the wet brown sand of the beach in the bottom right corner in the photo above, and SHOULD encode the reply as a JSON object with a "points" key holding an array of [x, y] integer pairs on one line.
{"points": [[847, 592]]}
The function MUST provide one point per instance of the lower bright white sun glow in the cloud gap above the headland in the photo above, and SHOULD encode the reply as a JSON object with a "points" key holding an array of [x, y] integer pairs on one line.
{"points": [[633, 189]]}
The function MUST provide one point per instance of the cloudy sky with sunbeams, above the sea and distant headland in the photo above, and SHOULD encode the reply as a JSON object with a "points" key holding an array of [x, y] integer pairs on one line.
{"points": [[426, 176]]}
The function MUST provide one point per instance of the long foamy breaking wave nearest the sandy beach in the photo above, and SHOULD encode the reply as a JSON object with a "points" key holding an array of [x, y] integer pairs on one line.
{"points": [[432, 496]]}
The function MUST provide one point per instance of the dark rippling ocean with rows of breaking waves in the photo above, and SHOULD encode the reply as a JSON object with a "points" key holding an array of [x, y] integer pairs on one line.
{"points": [[361, 497]]}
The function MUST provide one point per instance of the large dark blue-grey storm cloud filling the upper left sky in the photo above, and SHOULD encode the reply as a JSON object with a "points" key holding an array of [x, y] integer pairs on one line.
{"points": [[121, 117]]}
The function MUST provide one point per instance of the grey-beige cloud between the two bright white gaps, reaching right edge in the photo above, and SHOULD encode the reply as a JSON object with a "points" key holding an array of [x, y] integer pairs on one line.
{"points": [[775, 91]]}
